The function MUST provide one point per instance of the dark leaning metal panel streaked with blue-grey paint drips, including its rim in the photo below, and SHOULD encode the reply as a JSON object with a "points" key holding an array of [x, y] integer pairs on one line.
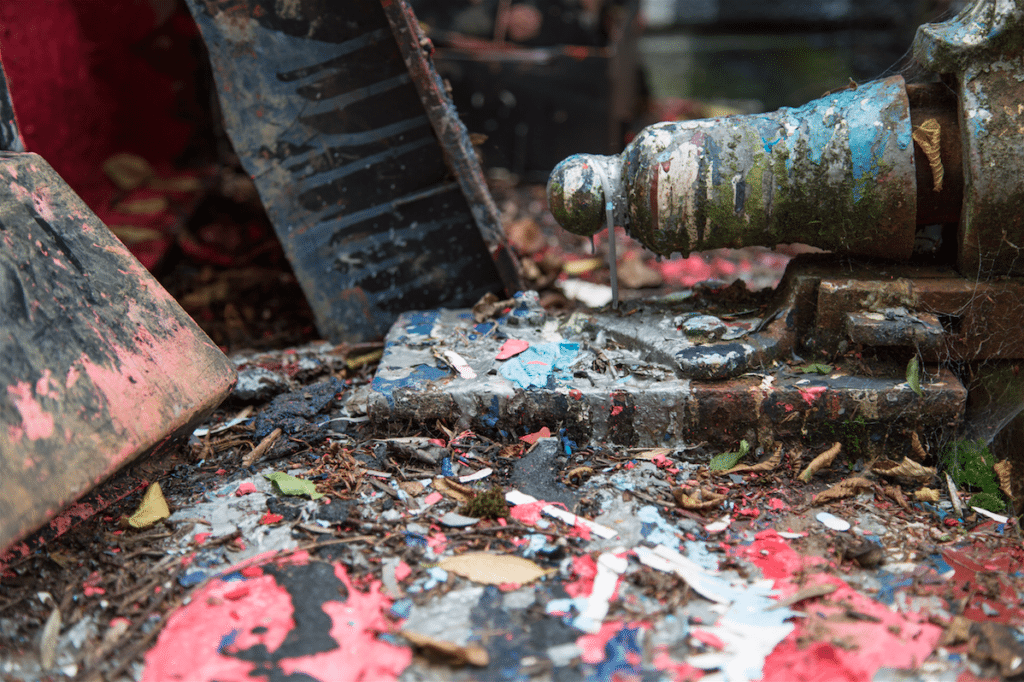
{"points": [[325, 113]]}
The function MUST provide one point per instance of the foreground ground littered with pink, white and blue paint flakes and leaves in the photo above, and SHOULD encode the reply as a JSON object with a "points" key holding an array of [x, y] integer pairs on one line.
{"points": [[338, 553]]}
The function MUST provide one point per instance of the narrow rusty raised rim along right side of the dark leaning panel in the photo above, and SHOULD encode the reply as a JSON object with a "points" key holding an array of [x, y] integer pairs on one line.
{"points": [[454, 138]]}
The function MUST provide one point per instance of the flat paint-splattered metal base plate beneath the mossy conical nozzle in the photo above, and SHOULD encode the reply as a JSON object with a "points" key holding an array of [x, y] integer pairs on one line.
{"points": [[632, 379]]}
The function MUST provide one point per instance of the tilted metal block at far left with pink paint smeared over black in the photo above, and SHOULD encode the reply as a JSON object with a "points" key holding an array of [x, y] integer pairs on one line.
{"points": [[100, 364]]}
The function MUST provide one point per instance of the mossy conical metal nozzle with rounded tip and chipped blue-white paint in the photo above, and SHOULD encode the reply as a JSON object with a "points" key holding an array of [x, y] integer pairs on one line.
{"points": [[837, 174]]}
